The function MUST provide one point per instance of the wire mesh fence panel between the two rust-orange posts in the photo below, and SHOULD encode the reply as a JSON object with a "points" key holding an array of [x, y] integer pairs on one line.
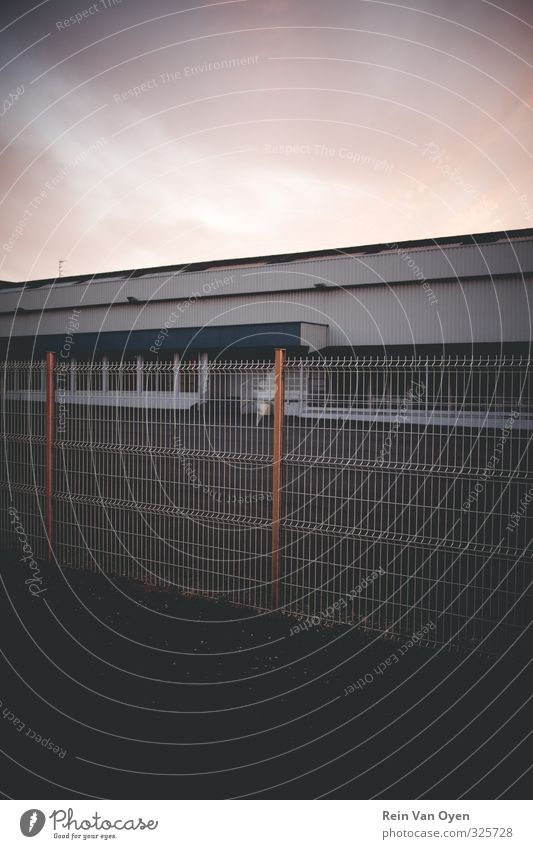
{"points": [[174, 488]]}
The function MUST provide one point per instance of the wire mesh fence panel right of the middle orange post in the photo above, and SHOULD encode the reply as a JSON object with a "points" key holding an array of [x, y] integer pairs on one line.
{"points": [[401, 480]]}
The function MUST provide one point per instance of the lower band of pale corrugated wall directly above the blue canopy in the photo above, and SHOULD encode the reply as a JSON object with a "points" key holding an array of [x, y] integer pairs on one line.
{"points": [[477, 311]]}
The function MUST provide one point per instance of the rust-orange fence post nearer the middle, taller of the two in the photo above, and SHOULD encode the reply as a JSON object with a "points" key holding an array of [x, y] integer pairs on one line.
{"points": [[279, 409]]}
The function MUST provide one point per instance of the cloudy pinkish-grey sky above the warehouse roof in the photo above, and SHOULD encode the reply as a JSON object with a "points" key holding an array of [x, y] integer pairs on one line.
{"points": [[139, 134]]}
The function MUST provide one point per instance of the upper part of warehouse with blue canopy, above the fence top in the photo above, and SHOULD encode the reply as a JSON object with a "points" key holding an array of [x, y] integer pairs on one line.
{"points": [[464, 294]]}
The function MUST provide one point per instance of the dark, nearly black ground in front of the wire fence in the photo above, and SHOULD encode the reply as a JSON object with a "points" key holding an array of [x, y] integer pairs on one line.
{"points": [[154, 695]]}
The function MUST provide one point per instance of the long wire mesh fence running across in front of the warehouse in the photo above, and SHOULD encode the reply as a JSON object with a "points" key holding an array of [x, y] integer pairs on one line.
{"points": [[403, 493]]}
